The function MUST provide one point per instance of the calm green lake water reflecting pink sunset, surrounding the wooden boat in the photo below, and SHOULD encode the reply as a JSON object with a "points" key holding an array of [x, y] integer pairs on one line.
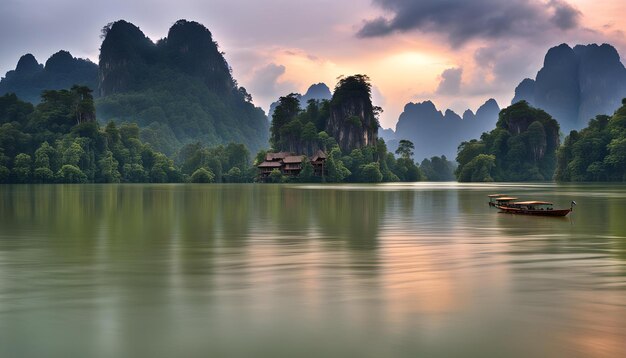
{"points": [[306, 270]]}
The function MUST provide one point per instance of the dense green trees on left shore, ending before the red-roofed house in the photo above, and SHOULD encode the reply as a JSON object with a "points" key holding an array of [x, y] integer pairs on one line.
{"points": [[60, 141]]}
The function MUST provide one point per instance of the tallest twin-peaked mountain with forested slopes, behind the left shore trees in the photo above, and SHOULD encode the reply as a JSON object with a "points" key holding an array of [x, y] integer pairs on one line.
{"points": [[179, 90]]}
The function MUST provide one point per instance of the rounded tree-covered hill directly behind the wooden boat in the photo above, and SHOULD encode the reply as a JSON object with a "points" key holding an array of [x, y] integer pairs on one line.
{"points": [[522, 147]]}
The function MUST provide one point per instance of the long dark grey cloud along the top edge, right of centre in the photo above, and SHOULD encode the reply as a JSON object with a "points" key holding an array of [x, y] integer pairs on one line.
{"points": [[462, 20]]}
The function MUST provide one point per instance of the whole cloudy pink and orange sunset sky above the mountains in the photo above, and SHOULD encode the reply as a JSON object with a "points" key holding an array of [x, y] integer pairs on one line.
{"points": [[457, 53]]}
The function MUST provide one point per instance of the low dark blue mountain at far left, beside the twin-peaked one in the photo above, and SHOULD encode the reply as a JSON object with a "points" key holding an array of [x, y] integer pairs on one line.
{"points": [[61, 71]]}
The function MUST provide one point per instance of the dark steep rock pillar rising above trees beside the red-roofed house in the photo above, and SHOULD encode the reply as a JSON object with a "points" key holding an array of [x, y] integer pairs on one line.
{"points": [[352, 121]]}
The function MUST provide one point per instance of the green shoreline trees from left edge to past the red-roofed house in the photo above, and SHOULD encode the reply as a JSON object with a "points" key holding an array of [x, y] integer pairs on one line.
{"points": [[60, 141]]}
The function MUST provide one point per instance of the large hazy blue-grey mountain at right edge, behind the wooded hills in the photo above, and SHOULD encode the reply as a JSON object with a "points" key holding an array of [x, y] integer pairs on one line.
{"points": [[576, 84]]}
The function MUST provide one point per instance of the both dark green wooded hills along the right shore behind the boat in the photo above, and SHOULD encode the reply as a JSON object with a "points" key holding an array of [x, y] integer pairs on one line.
{"points": [[525, 147]]}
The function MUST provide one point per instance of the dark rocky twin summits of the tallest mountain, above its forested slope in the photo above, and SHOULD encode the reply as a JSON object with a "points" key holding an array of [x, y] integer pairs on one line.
{"points": [[127, 56]]}
